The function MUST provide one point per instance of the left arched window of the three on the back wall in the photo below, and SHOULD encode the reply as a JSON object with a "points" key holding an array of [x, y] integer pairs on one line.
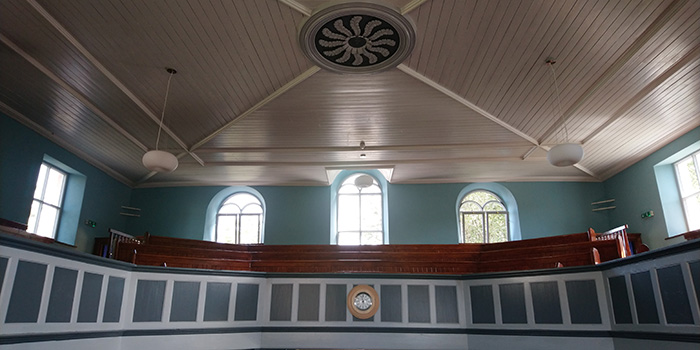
{"points": [[239, 219]]}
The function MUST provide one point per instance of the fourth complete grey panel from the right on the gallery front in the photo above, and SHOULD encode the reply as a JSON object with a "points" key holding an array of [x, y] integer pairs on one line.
{"points": [[583, 302]]}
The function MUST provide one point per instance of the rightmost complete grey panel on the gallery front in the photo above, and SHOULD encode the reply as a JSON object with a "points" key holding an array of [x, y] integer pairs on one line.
{"points": [[674, 295]]}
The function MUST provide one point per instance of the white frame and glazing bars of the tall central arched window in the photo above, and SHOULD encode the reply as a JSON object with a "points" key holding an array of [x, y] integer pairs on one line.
{"points": [[342, 182]]}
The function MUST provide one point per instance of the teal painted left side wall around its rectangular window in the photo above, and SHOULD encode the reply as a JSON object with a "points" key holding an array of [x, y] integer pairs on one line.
{"points": [[21, 153]]}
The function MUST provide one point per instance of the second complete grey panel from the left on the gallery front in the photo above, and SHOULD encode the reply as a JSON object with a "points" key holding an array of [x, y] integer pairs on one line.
{"points": [[62, 293]]}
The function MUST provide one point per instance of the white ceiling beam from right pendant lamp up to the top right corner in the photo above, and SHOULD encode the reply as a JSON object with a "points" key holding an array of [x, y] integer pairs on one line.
{"points": [[626, 56]]}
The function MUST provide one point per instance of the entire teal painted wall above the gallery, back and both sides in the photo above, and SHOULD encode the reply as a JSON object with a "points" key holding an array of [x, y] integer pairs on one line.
{"points": [[301, 215]]}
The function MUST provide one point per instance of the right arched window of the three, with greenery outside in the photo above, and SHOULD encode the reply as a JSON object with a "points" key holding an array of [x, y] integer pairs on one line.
{"points": [[483, 218]]}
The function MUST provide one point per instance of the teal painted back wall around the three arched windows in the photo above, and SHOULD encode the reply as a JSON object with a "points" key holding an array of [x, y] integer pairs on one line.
{"points": [[417, 213]]}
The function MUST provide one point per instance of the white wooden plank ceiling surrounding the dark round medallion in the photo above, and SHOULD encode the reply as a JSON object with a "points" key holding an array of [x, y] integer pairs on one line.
{"points": [[474, 101]]}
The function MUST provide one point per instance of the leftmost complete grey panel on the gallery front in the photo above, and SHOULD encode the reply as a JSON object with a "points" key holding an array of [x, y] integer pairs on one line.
{"points": [[25, 298]]}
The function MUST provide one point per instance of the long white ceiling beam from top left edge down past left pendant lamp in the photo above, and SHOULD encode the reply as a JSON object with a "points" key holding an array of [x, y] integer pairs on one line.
{"points": [[68, 36]]}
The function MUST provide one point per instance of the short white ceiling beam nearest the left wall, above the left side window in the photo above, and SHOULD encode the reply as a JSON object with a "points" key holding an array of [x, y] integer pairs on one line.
{"points": [[72, 91]]}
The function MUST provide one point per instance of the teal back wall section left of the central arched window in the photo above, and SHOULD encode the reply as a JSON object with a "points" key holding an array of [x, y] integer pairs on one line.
{"points": [[295, 215]]}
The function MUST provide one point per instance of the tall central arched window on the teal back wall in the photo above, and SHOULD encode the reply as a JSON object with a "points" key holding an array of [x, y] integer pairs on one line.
{"points": [[360, 211]]}
